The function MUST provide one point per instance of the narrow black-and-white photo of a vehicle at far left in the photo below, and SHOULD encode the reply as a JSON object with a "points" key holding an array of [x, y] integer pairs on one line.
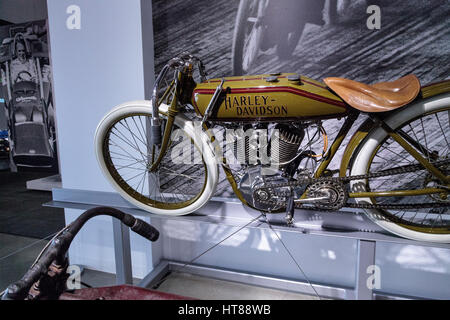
{"points": [[26, 95]]}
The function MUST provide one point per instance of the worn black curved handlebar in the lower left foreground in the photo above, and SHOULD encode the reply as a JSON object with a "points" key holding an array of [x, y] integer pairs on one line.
{"points": [[56, 251]]}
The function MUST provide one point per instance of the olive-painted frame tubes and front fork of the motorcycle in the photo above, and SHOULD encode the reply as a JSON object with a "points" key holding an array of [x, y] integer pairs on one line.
{"points": [[351, 149]]}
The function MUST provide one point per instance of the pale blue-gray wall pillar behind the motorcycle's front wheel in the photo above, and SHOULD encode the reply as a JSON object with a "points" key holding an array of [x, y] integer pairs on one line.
{"points": [[95, 68]]}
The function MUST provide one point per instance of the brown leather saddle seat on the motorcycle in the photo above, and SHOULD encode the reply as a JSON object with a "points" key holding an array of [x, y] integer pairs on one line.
{"points": [[379, 97]]}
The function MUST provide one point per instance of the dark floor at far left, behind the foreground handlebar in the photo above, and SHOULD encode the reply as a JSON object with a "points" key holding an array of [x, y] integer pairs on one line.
{"points": [[25, 226]]}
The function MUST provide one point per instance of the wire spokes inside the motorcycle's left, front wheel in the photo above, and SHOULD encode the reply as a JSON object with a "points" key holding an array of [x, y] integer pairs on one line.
{"points": [[171, 182]]}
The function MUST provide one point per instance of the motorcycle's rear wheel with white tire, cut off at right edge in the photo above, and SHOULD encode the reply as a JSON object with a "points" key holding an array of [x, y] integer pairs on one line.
{"points": [[426, 125]]}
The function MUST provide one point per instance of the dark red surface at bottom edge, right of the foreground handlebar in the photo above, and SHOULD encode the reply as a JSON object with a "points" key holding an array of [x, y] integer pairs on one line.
{"points": [[122, 292]]}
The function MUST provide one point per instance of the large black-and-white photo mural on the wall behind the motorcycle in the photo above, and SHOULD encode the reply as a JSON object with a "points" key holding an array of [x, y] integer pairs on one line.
{"points": [[367, 41]]}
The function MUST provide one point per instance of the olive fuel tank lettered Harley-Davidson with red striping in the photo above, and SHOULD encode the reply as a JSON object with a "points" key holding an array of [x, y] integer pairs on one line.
{"points": [[269, 98]]}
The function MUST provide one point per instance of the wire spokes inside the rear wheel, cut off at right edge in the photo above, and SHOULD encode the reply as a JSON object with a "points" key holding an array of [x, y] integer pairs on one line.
{"points": [[428, 131]]}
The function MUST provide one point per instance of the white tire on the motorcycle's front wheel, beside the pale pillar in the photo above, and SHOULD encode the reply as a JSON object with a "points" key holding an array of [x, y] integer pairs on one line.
{"points": [[199, 138]]}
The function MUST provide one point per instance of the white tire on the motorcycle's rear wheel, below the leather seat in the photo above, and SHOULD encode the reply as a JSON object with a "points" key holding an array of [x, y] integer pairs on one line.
{"points": [[362, 161]]}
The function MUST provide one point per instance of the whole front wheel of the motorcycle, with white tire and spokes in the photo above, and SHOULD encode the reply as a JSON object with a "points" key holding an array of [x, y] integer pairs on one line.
{"points": [[184, 180]]}
